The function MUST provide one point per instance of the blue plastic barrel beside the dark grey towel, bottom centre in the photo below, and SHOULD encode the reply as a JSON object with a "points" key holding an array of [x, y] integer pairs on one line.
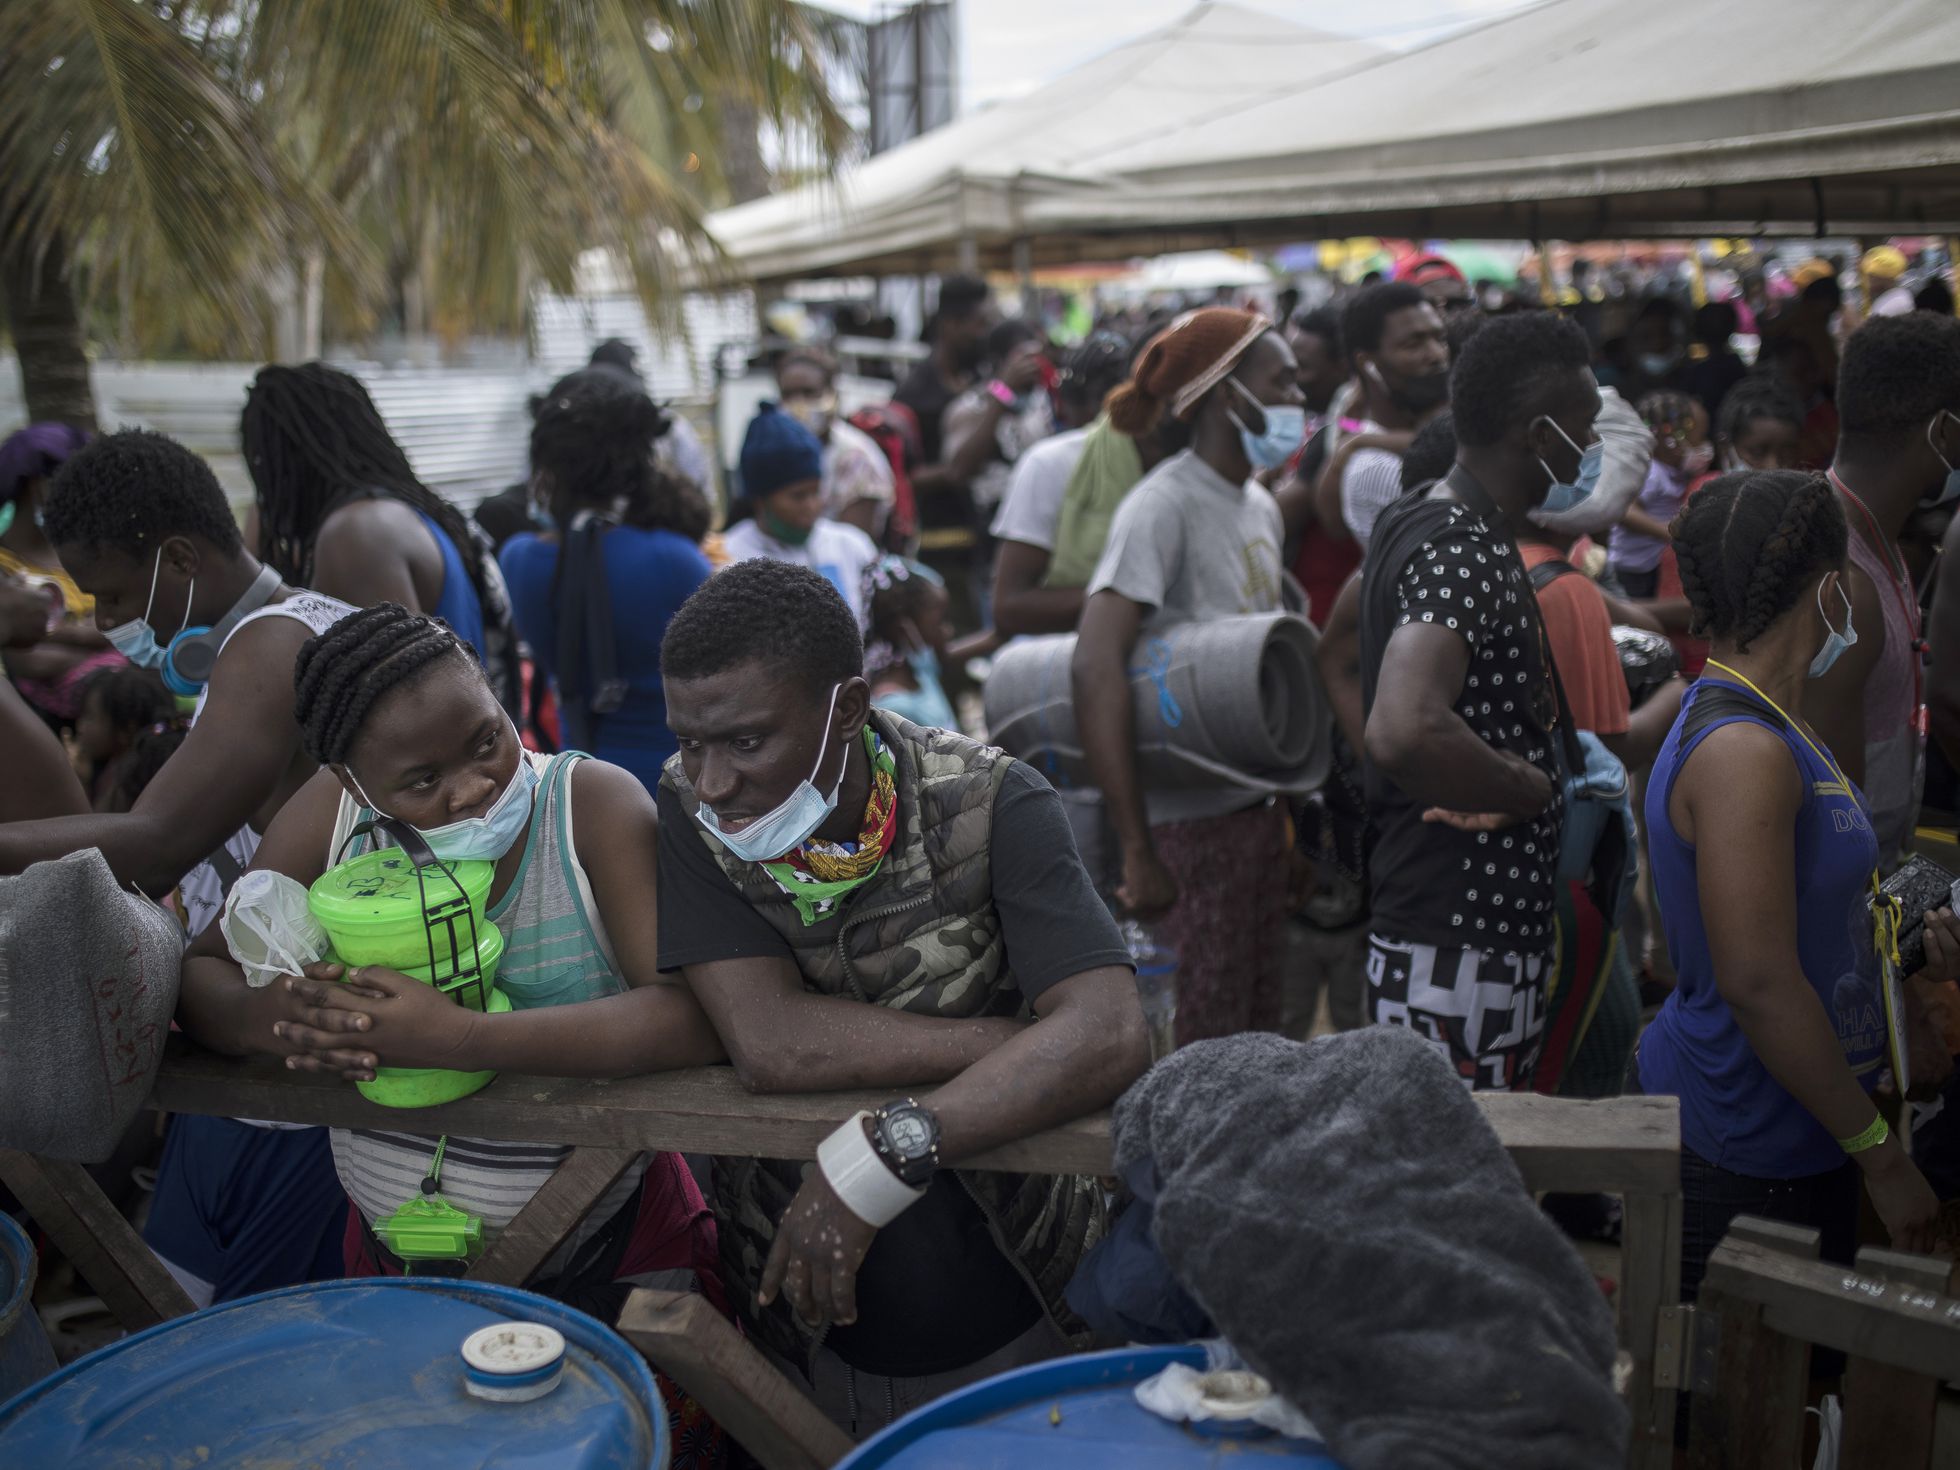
{"points": [[1073, 1414]]}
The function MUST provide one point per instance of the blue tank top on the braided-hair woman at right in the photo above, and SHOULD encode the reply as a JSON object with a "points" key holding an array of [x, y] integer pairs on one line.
{"points": [[1734, 1112]]}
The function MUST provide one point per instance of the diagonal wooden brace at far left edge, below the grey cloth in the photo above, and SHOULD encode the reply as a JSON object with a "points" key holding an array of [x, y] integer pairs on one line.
{"points": [[66, 1202]]}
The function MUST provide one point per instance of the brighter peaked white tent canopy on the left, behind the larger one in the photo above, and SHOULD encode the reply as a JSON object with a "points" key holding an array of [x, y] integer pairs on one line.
{"points": [[973, 181]]}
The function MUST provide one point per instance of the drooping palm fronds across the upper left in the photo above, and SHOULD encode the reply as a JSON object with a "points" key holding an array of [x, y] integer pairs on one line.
{"points": [[448, 150]]}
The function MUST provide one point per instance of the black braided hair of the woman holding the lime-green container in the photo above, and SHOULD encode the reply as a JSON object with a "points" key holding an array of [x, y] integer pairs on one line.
{"points": [[354, 663]]}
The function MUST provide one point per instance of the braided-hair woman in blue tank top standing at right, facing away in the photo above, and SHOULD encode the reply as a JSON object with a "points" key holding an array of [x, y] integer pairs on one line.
{"points": [[1765, 861]]}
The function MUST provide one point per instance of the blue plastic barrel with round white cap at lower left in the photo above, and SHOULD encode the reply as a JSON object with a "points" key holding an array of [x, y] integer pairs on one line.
{"points": [[334, 1377]]}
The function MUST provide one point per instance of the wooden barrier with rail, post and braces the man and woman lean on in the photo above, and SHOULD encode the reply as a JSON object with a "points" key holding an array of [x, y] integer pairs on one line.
{"points": [[1626, 1146]]}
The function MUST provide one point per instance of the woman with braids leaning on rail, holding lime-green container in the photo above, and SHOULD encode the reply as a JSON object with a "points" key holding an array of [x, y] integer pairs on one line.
{"points": [[405, 726]]}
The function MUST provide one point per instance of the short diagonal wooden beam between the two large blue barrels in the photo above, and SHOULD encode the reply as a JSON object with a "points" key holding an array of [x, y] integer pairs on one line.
{"points": [[769, 1416]]}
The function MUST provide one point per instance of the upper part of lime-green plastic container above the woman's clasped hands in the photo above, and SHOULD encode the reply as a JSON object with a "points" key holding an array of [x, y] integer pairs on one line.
{"points": [[379, 910]]}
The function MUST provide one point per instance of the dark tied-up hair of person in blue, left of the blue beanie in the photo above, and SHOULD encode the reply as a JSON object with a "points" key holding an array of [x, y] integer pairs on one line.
{"points": [[593, 434]]}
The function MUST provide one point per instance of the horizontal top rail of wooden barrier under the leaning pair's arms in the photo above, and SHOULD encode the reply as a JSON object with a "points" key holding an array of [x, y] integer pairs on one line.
{"points": [[1612, 1148]]}
